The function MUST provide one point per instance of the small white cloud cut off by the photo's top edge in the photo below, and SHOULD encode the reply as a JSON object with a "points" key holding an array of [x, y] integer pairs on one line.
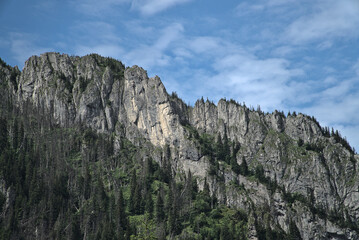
{"points": [[151, 7]]}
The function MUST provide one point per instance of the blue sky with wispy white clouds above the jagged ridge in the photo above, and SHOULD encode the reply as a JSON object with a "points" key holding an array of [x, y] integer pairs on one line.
{"points": [[292, 55]]}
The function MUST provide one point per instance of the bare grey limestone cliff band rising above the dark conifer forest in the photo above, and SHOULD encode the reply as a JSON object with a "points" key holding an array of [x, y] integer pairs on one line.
{"points": [[306, 176]]}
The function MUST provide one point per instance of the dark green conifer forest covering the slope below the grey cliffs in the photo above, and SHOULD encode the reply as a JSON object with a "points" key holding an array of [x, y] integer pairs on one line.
{"points": [[68, 183]]}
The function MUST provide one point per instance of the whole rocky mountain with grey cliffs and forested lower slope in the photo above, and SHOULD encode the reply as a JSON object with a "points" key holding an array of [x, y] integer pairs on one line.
{"points": [[85, 139]]}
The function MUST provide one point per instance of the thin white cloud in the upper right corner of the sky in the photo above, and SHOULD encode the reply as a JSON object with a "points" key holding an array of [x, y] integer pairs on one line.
{"points": [[330, 19]]}
